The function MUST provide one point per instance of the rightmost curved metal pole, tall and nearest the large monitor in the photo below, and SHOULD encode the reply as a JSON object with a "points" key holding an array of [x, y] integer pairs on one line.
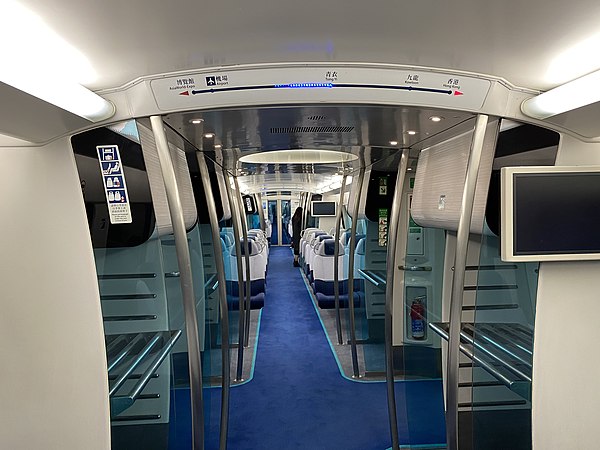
{"points": [[458, 280]]}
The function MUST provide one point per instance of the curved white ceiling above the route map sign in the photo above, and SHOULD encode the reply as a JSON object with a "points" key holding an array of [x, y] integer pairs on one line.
{"points": [[516, 40]]}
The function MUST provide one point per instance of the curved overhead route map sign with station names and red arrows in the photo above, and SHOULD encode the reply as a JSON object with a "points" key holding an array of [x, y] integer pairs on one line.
{"points": [[345, 84]]}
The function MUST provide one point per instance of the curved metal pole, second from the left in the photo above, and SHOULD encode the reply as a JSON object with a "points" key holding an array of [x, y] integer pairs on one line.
{"points": [[225, 368]]}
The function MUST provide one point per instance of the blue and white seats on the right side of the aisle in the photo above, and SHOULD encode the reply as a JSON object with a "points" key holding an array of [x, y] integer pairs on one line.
{"points": [[317, 258]]}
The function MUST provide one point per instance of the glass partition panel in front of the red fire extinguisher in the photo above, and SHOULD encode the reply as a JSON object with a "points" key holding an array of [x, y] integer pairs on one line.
{"points": [[418, 357]]}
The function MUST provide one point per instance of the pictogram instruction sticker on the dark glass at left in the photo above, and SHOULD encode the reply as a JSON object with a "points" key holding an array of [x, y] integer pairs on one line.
{"points": [[115, 188]]}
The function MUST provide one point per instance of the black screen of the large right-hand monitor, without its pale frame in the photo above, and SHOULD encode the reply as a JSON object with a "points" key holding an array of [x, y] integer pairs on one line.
{"points": [[556, 213]]}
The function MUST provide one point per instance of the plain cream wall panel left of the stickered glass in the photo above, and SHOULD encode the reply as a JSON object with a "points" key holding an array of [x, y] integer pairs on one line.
{"points": [[53, 384]]}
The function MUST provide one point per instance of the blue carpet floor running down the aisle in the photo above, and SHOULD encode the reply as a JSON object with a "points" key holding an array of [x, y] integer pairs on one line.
{"points": [[298, 399]]}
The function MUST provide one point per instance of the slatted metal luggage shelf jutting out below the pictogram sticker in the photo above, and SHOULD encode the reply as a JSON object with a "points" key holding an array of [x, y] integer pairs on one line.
{"points": [[127, 352]]}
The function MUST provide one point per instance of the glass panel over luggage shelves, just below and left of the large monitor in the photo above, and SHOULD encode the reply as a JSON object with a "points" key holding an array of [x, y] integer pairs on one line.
{"points": [[500, 336]]}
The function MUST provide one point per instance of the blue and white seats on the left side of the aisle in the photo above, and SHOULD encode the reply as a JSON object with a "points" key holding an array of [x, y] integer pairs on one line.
{"points": [[257, 249]]}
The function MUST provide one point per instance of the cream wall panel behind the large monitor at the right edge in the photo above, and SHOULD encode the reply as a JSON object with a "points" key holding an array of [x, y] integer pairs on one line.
{"points": [[566, 367]]}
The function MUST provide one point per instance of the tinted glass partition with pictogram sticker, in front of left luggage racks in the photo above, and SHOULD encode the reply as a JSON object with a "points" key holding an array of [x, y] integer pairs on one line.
{"points": [[142, 309]]}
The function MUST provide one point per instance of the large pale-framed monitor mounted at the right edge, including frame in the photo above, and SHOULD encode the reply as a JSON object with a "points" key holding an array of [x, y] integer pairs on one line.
{"points": [[550, 213]]}
